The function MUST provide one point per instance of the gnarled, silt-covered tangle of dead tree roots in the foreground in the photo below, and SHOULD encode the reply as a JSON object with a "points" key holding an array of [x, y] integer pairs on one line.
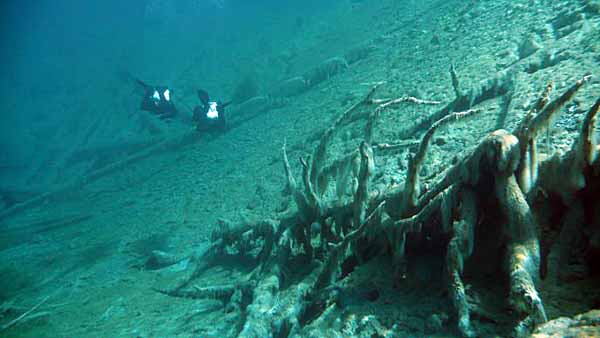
{"points": [[497, 186]]}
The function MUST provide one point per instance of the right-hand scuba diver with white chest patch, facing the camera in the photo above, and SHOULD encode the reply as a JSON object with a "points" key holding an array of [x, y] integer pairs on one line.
{"points": [[209, 115]]}
